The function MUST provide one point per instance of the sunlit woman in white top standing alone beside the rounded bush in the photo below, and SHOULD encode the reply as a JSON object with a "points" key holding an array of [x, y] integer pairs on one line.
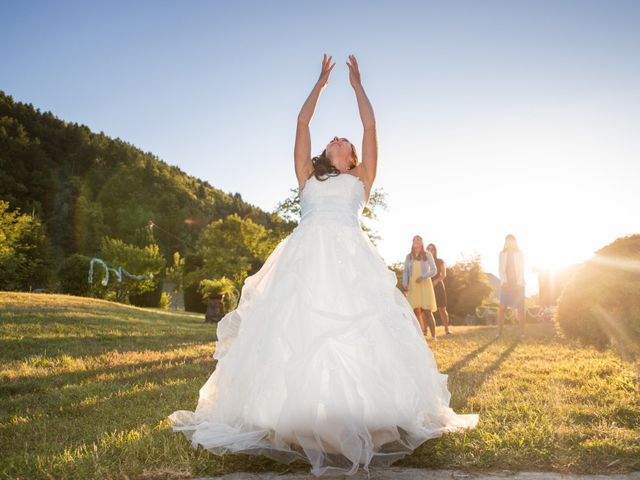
{"points": [[511, 266]]}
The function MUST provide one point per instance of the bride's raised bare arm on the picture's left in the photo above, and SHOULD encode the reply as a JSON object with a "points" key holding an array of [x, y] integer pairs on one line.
{"points": [[302, 149]]}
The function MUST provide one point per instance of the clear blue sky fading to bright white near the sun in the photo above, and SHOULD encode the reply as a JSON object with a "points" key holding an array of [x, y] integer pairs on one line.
{"points": [[493, 116]]}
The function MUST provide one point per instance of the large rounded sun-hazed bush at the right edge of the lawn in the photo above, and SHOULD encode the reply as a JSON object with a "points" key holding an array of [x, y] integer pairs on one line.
{"points": [[601, 303]]}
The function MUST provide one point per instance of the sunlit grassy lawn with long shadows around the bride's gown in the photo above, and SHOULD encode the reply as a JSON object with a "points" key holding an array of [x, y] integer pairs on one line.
{"points": [[86, 386]]}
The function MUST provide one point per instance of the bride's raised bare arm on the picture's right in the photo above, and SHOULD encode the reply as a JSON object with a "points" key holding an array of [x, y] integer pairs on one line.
{"points": [[369, 138]]}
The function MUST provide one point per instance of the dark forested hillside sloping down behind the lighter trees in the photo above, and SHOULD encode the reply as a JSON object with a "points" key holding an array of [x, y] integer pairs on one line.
{"points": [[85, 185]]}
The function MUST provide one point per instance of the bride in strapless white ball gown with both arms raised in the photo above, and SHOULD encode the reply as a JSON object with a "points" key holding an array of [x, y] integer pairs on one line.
{"points": [[324, 360]]}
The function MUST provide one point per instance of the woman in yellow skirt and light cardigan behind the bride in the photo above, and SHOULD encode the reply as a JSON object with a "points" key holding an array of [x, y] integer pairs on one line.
{"points": [[419, 267]]}
